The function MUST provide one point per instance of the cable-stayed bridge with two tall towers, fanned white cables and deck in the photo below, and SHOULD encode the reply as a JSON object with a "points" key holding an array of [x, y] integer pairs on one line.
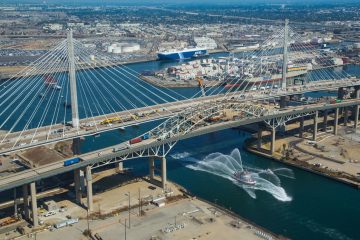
{"points": [[73, 91]]}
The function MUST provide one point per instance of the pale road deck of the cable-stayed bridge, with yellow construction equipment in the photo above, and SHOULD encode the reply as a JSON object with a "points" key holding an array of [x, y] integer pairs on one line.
{"points": [[91, 126]]}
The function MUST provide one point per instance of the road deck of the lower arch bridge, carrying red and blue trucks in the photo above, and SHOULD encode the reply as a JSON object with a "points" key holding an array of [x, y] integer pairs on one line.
{"points": [[31, 175]]}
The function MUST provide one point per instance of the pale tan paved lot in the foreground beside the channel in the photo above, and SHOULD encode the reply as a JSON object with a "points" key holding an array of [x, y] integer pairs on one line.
{"points": [[181, 219]]}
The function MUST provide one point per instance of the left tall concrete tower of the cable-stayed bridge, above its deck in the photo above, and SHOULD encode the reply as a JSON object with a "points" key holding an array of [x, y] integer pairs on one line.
{"points": [[72, 78]]}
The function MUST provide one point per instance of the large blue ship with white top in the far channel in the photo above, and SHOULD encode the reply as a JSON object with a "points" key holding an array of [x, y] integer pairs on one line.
{"points": [[186, 53]]}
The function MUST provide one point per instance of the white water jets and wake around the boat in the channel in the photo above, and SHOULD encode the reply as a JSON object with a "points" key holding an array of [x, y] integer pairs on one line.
{"points": [[227, 165]]}
